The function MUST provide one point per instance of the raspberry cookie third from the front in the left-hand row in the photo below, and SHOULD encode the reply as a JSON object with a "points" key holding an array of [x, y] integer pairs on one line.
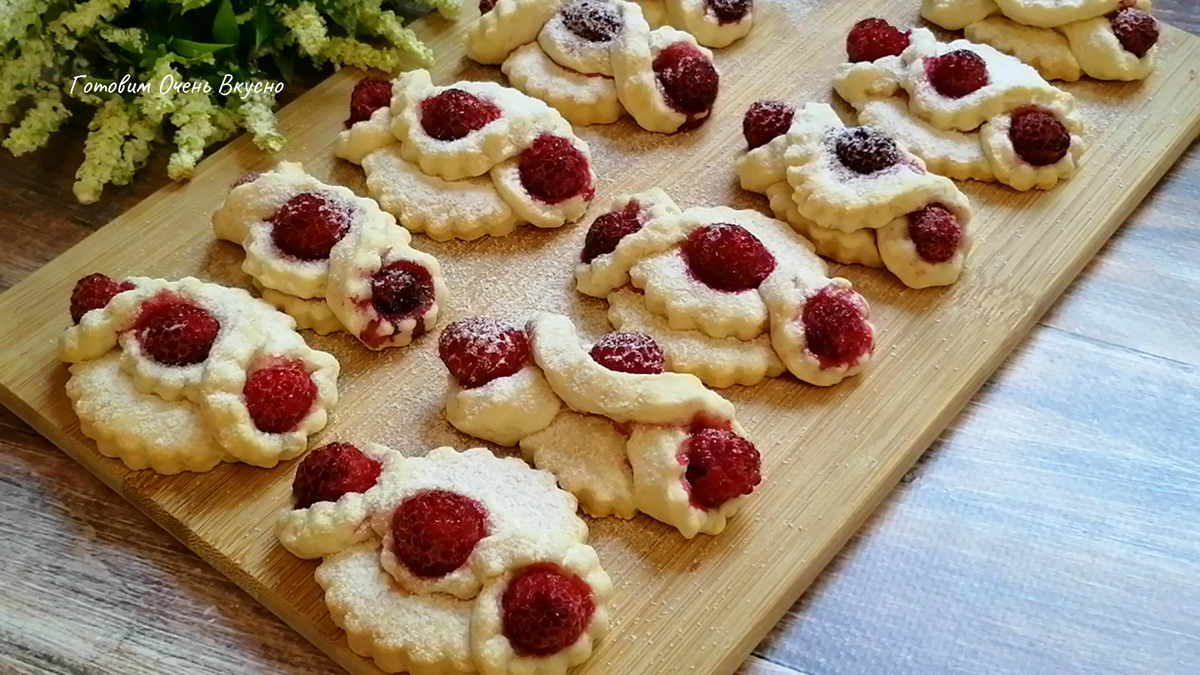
{"points": [[471, 159]]}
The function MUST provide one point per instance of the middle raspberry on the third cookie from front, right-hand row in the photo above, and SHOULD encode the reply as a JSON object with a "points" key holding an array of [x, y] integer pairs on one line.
{"points": [[728, 258]]}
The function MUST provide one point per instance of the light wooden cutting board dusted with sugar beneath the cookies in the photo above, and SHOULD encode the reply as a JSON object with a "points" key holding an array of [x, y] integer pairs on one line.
{"points": [[830, 456]]}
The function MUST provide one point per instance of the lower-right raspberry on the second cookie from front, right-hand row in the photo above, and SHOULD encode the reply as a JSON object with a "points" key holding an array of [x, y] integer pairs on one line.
{"points": [[722, 467]]}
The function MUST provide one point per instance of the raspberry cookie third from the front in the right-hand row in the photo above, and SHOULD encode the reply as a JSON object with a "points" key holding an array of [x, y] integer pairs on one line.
{"points": [[722, 292]]}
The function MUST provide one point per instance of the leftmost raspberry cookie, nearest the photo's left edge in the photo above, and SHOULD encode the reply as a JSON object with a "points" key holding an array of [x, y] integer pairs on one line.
{"points": [[182, 375]]}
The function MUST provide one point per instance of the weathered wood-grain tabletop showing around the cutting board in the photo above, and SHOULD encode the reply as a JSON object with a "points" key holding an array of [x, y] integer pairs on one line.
{"points": [[1052, 529]]}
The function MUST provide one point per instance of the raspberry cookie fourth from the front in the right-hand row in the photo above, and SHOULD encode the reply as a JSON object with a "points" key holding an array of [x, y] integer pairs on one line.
{"points": [[856, 194]]}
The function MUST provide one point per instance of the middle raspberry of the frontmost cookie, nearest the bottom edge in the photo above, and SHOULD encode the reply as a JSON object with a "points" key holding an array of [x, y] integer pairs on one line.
{"points": [[435, 531]]}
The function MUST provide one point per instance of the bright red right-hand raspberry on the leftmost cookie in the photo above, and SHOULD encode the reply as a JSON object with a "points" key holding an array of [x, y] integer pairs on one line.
{"points": [[279, 397]]}
